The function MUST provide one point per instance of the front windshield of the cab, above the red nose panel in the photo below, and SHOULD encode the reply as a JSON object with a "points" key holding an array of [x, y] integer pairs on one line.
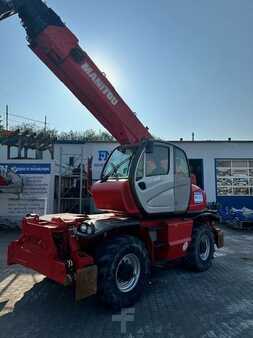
{"points": [[119, 163]]}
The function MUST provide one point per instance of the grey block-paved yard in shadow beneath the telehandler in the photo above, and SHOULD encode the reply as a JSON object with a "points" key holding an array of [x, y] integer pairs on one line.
{"points": [[217, 303]]}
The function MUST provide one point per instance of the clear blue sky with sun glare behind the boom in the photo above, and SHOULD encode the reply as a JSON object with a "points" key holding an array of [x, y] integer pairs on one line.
{"points": [[183, 66]]}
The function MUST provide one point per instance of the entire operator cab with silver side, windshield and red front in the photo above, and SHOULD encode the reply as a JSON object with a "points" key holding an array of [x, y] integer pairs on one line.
{"points": [[152, 178]]}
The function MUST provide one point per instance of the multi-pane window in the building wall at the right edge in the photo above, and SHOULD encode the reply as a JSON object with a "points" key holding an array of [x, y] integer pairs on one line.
{"points": [[234, 177]]}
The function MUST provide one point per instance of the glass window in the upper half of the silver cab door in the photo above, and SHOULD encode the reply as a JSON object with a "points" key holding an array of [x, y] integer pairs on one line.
{"points": [[158, 162]]}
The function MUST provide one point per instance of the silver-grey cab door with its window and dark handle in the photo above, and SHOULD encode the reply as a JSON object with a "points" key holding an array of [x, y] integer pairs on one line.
{"points": [[154, 179]]}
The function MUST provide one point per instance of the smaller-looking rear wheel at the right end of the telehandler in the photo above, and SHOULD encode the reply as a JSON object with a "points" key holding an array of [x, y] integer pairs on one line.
{"points": [[201, 249]]}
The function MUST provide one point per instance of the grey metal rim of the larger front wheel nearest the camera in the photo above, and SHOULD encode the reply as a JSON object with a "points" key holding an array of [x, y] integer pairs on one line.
{"points": [[128, 272]]}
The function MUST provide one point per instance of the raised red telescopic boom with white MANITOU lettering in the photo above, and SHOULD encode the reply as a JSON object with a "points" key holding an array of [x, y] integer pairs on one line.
{"points": [[58, 48]]}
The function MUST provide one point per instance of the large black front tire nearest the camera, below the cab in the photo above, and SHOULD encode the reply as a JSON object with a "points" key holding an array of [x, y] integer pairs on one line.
{"points": [[110, 259]]}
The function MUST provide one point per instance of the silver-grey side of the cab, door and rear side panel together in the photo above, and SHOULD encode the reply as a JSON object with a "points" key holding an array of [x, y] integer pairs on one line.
{"points": [[160, 179]]}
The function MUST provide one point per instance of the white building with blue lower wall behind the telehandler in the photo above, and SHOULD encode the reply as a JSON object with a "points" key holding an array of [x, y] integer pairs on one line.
{"points": [[224, 169]]}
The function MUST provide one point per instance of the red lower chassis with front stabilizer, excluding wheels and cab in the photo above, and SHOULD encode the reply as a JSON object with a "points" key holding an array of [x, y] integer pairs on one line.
{"points": [[53, 246]]}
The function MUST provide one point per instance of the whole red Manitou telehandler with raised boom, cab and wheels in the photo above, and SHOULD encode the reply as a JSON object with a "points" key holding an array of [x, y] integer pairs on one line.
{"points": [[152, 212]]}
